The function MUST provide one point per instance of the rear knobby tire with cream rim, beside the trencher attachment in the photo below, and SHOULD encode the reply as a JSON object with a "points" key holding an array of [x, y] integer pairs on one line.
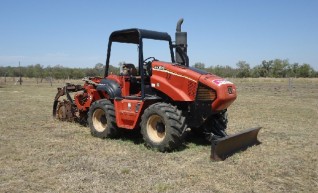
{"points": [[102, 120]]}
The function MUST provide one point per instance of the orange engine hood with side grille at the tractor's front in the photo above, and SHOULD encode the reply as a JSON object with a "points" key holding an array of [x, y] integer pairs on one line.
{"points": [[185, 84]]}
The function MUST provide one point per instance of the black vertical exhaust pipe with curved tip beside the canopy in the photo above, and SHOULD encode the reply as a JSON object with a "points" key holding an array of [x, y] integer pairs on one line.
{"points": [[181, 45]]}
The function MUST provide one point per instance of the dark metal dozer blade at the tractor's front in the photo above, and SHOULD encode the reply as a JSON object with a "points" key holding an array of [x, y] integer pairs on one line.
{"points": [[227, 146]]}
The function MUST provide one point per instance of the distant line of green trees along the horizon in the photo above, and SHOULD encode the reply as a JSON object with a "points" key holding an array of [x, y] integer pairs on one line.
{"points": [[267, 68]]}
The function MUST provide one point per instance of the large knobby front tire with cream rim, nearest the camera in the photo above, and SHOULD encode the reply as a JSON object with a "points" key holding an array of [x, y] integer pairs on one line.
{"points": [[162, 127]]}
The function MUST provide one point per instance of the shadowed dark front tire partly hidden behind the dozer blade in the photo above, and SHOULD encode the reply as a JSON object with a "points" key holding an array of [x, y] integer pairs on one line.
{"points": [[215, 126]]}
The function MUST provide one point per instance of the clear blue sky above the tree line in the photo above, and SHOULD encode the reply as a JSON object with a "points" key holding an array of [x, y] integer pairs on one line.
{"points": [[75, 33]]}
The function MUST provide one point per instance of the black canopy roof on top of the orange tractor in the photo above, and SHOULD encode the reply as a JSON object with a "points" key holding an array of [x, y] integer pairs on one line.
{"points": [[134, 35]]}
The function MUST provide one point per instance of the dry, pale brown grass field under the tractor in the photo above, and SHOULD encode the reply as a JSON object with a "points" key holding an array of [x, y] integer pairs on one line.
{"points": [[39, 154]]}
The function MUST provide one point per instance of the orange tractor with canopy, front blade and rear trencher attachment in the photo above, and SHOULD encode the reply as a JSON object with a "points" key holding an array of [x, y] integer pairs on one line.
{"points": [[163, 99]]}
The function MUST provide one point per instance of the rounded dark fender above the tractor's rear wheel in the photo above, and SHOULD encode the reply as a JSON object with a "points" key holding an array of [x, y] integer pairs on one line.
{"points": [[111, 87]]}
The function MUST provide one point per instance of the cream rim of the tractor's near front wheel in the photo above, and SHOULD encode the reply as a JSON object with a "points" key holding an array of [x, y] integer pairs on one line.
{"points": [[156, 128]]}
